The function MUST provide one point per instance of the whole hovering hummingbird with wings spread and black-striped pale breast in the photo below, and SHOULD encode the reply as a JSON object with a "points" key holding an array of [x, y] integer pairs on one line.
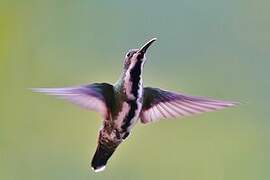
{"points": [[128, 102]]}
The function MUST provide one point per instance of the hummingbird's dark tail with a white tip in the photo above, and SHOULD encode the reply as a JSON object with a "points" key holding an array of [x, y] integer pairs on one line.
{"points": [[101, 156]]}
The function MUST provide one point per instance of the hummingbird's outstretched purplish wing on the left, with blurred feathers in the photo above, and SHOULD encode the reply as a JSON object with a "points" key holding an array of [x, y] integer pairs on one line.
{"points": [[98, 96]]}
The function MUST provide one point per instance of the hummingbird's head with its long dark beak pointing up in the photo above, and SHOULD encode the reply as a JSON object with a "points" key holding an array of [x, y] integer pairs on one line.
{"points": [[137, 56]]}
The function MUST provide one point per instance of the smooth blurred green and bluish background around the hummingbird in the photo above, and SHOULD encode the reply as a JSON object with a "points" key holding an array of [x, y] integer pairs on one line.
{"points": [[216, 48]]}
